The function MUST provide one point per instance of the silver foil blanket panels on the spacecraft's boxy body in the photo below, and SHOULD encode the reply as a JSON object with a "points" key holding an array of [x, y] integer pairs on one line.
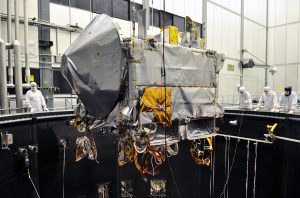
{"points": [[189, 72]]}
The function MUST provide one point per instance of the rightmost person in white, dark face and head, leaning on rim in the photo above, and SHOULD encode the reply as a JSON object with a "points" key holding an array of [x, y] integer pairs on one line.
{"points": [[288, 100]]}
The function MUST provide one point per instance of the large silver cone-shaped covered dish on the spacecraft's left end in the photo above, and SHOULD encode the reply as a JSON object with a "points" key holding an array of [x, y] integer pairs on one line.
{"points": [[92, 66]]}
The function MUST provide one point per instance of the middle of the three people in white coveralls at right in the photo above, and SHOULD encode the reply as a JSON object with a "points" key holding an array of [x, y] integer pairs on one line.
{"points": [[268, 100]]}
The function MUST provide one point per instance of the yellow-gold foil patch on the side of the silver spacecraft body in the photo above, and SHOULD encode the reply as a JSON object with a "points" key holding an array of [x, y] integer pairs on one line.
{"points": [[153, 100]]}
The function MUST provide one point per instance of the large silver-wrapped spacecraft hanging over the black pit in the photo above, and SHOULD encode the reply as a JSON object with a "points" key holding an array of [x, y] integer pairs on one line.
{"points": [[151, 94]]}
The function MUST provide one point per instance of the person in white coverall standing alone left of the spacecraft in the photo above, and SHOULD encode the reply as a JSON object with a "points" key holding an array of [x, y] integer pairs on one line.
{"points": [[35, 100]]}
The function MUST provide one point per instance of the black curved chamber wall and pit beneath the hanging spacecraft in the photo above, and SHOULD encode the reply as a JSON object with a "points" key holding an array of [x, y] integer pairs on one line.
{"points": [[271, 172]]}
